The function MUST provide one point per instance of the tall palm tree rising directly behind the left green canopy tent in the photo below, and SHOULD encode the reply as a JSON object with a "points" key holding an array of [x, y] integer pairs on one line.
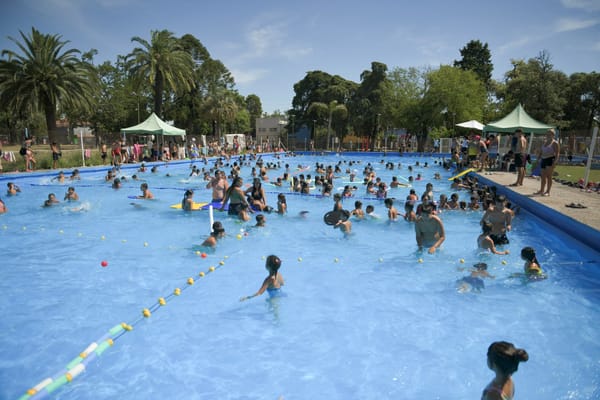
{"points": [[164, 63]]}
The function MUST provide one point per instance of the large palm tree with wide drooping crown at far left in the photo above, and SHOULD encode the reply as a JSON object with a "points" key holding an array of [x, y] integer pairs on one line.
{"points": [[43, 76]]}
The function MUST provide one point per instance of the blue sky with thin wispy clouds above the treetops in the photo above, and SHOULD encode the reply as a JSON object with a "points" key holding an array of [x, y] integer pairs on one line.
{"points": [[270, 45]]}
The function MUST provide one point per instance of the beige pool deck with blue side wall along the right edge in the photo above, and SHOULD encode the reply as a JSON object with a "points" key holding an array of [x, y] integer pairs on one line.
{"points": [[584, 222]]}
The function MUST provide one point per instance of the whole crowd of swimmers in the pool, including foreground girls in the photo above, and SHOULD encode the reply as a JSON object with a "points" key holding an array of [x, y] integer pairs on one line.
{"points": [[424, 211]]}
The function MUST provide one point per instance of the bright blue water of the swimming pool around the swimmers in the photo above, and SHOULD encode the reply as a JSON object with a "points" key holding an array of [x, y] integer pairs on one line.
{"points": [[363, 318]]}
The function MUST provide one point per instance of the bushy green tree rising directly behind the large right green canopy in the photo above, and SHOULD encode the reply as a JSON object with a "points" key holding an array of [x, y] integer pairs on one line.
{"points": [[538, 87]]}
